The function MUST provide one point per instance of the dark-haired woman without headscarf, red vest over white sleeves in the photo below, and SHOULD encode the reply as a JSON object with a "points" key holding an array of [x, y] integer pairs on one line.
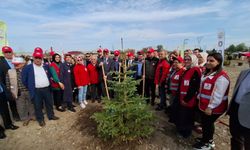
{"points": [[213, 98]]}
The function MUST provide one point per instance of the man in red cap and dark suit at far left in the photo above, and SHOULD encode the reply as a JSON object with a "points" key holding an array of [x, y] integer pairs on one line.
{"points": [[5, 65]]}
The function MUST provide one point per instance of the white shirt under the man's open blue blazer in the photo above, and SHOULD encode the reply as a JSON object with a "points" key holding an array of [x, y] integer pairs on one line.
{"points": [[41, 79]]}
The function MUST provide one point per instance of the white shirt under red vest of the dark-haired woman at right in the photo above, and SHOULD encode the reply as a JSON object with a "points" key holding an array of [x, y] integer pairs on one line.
{"points": [[220, 88]]}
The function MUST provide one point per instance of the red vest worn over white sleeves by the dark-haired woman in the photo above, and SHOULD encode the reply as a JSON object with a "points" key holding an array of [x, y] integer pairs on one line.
{"points": [[206, 91]]}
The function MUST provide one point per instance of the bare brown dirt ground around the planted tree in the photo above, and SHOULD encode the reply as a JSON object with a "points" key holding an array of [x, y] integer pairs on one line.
{"points": [[78, 131]]}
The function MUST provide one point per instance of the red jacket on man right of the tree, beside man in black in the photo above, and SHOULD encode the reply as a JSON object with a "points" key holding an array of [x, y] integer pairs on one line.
{"points": [[162, 71]]}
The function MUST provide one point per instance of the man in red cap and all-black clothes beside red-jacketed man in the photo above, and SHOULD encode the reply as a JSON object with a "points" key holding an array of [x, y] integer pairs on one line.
{"points": [[150, 68]]}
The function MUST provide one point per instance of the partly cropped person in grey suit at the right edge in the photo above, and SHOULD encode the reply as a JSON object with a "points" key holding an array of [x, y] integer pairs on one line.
{"points": [[239, 110]]}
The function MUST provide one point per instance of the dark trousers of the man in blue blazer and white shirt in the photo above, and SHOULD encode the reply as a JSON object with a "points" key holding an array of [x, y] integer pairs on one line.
{"points": [[43, 95]]}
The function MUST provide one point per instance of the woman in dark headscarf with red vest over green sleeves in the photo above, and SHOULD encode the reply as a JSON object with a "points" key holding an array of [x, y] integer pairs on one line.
{"points": [[55, 82]]}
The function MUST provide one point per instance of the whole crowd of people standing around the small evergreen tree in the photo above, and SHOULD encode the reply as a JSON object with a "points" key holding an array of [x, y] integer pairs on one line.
{"points": [[192, 88]]}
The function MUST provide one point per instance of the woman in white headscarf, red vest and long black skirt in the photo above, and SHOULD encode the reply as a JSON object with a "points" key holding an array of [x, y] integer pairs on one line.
{"points": [[189, 88]]}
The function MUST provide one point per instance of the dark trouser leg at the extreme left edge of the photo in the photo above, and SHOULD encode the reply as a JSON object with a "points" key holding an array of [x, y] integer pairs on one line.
{"points": [[4, 110]]}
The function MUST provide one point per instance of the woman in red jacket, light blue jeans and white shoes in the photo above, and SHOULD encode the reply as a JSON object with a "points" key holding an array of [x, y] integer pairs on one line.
{"points": [[82, 81]]}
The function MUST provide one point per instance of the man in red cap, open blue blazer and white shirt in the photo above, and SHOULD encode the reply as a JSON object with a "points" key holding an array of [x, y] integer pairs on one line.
{"points": [[36, 77]]}
